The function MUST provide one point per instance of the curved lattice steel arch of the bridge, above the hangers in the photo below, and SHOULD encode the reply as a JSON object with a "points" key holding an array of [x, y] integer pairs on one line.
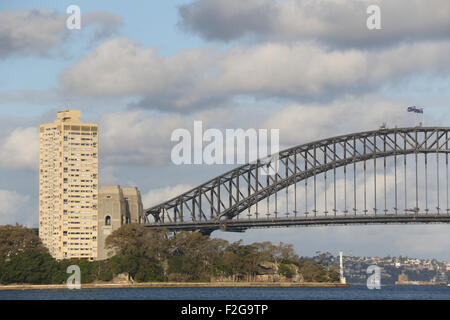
{"points": [[231, 193]]}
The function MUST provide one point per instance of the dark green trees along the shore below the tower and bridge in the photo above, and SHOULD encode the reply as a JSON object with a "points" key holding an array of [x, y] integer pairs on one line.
{"points": [[144, 257]]}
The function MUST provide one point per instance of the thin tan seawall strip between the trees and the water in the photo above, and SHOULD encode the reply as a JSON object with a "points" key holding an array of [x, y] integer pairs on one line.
{"points": [[175, 285]]}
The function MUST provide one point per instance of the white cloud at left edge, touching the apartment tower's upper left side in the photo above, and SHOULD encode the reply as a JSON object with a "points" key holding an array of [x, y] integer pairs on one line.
{"points": [[20, 150]]}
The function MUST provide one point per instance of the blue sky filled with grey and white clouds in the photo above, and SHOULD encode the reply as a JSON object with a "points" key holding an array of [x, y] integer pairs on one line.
{"points": [[311, 69]]}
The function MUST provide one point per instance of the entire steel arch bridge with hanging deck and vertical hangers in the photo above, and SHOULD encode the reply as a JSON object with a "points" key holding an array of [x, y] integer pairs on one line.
{"points": [[385, 176]]}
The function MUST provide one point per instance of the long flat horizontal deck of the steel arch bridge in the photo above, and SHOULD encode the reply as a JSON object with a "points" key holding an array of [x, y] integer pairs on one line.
{"points": [[240, 225]]}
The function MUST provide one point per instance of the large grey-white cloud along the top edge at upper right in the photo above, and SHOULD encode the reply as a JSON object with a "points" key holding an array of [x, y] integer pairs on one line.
{"points": [[335, 22]]}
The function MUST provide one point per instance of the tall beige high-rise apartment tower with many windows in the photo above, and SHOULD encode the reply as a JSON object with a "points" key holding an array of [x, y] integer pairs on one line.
{"points": [[68, 186]]}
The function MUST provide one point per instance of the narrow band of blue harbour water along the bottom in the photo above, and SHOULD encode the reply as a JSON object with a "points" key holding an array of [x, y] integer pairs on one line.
{"points": [[296, 293]]}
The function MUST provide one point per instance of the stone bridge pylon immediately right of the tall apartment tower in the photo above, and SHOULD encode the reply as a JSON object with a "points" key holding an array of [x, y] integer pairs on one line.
{"points": [[116, 206]]}
